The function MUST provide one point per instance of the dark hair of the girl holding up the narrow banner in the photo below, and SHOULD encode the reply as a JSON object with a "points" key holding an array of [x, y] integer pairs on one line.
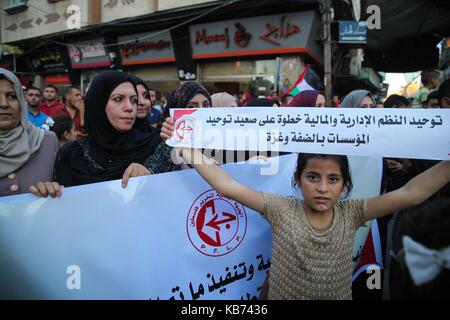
{"points": [[342, 161]]}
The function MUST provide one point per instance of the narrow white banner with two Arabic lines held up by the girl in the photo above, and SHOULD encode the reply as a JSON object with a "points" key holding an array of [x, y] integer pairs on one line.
{"points": [[402, 133]]}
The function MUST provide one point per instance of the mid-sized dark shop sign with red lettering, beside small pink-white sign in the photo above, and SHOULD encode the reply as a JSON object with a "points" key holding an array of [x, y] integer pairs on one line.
{"points": [[142, 48]]}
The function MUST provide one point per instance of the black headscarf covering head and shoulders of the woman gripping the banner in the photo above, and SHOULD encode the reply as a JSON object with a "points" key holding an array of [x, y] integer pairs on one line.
{"points": [[105, 153]]}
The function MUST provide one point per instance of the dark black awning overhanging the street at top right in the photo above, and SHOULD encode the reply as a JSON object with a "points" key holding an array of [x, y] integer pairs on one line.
{"points": [[410, 31]]}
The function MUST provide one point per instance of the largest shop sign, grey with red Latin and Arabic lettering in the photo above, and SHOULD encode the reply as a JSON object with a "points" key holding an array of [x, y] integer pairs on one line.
{"points": [[260, 35]]}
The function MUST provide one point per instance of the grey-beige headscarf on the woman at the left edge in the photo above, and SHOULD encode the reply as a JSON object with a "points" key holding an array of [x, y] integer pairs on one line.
{"points": [[18, 145]]}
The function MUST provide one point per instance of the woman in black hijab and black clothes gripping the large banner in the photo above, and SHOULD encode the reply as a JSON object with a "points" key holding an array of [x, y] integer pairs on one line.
{"points": [[114, 147]]}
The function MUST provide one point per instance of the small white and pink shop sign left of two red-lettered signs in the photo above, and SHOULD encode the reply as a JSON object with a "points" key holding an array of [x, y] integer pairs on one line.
{"points": [[88, 54]]}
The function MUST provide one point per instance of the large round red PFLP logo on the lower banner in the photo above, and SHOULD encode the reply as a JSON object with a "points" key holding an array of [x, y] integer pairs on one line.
{"points": [[216, 225]]}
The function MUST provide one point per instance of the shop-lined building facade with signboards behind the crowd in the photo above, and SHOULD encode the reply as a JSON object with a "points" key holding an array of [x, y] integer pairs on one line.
{"points": [[228, 45]]}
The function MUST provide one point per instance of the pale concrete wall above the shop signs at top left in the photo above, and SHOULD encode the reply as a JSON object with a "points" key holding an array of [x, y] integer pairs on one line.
{"points": [[43, 18]]}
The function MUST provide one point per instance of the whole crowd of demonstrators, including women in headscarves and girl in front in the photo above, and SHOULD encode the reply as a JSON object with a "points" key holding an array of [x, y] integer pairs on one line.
{"points": [[117, 131]]}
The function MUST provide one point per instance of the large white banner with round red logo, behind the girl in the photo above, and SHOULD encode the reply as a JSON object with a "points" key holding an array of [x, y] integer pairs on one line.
{"points": [[166, 236]]}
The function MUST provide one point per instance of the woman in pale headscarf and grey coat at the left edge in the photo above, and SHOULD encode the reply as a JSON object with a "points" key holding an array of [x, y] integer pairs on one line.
{"points": [[27, 153]]}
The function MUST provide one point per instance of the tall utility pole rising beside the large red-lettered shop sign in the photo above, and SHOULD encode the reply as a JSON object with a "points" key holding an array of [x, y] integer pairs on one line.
{"points": [[326, 11]]}
